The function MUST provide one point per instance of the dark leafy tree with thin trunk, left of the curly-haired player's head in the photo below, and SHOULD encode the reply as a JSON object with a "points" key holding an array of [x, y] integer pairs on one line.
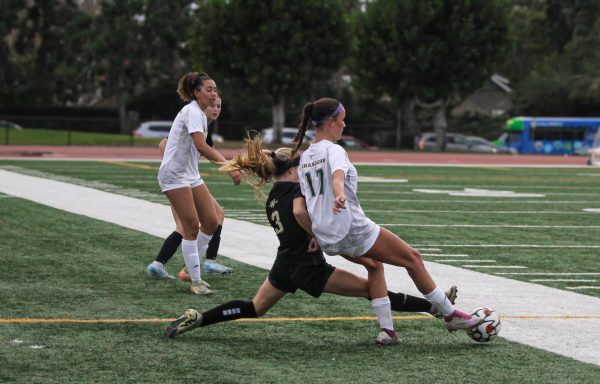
{"points": [[136, 45]]}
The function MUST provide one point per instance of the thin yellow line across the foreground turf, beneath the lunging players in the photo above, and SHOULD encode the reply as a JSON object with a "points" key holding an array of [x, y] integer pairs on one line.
{"points": [[266, 319]]}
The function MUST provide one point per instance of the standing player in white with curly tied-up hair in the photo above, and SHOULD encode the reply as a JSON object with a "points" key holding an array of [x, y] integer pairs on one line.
{"points": [[179, 177]]}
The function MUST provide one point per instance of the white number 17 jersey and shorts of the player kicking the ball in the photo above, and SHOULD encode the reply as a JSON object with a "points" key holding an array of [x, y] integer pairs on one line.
{"points": [[340, 231]]}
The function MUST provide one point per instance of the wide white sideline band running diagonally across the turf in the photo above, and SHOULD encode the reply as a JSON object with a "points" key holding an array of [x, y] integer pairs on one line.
{"points": [[555, 320]]}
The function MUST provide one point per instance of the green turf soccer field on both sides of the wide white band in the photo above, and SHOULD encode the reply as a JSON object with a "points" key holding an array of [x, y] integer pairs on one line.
{"points": [[538, 225]]}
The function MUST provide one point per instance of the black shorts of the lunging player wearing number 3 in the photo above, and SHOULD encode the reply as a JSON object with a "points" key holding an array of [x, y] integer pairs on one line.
{"points": [[308, 278]]}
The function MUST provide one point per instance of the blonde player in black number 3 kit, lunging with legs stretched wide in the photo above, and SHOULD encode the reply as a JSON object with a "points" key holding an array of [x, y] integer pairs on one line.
{"points": [[299, 264]]}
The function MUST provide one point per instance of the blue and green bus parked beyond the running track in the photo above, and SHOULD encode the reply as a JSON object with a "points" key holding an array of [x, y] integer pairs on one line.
{"points": [[550, 135]]}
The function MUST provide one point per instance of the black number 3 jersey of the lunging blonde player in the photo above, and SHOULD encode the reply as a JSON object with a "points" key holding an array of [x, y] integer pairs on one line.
{"points": [[293, 240]]}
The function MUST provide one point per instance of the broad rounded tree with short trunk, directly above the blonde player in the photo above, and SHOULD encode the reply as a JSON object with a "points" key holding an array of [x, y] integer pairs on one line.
{"points": [[273, 47]]}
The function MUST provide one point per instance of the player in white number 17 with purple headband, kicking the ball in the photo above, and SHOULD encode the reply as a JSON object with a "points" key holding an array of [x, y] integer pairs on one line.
{"points": [[329, 184]]}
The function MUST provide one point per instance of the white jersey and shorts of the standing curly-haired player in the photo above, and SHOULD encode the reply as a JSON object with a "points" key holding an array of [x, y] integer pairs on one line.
{"points": [[180, 161]]}
